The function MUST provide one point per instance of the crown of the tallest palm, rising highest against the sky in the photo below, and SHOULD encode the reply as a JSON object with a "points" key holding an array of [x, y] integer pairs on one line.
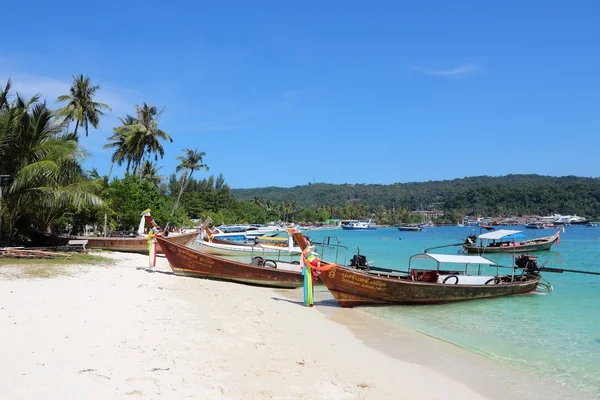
{"points": [[81, 106]]}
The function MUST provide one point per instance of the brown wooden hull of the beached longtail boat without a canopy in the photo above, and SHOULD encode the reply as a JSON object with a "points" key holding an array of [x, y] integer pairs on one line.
{"points": [[186, 261]]}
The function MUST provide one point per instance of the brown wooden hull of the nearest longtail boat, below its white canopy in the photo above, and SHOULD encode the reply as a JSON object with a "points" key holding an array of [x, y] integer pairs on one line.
{"points": [[352, 287]]}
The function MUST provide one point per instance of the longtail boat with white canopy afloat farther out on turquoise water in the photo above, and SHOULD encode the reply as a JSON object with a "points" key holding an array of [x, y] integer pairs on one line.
{"points": [[508, 241]]}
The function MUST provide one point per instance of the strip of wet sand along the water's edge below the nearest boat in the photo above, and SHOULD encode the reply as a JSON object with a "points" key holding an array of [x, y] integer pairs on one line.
{"points": [[492, 379]]}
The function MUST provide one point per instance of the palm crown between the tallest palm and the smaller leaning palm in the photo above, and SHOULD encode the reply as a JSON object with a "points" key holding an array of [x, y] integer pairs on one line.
{"points": [[143, 137]]}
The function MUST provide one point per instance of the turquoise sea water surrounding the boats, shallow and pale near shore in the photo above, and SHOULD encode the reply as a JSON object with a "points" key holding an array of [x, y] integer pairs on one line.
{"points": [[555, 336]]}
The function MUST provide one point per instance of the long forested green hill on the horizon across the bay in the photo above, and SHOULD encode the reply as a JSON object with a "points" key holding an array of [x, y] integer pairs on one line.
{"points": [[483, 195]]}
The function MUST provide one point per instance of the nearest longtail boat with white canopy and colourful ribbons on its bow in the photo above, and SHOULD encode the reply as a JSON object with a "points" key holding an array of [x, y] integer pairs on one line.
{"points": [[361, 284]]}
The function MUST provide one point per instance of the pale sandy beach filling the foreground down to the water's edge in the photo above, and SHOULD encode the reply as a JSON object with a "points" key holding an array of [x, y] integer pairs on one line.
{"points": [[120, 330]]}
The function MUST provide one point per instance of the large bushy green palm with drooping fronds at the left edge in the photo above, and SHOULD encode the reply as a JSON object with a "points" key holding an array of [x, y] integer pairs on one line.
{"points": [[45, 164]]}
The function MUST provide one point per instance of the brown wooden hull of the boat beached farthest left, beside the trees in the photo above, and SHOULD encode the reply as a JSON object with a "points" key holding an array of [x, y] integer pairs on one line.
{"points": [[125, 244]]}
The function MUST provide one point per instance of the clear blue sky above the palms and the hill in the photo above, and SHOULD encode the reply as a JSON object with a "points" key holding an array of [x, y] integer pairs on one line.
{"points": [[281, 93]]}
